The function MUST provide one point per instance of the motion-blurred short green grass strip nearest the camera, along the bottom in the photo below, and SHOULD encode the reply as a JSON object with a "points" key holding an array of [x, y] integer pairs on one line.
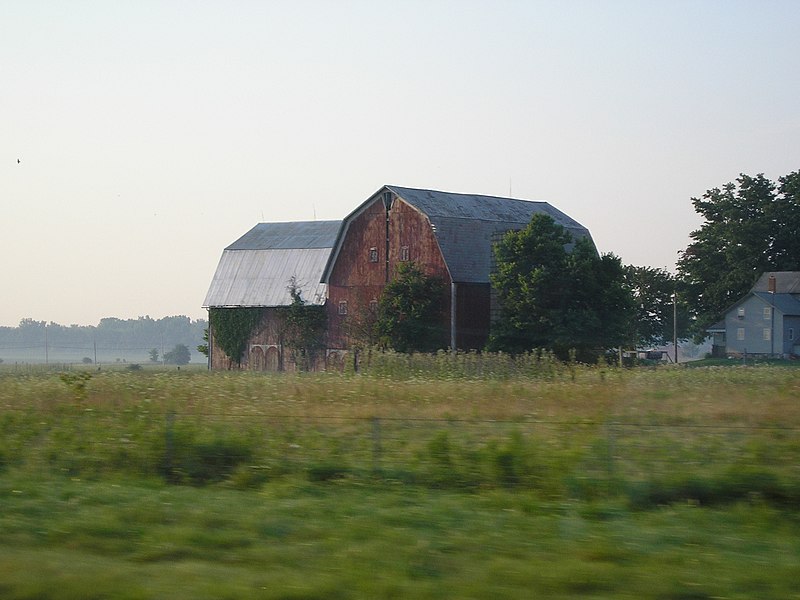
{"points": [[76, 539]]}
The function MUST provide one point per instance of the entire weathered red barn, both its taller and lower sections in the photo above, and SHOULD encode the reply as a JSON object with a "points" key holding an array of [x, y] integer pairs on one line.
{"points": [[345, 265]]}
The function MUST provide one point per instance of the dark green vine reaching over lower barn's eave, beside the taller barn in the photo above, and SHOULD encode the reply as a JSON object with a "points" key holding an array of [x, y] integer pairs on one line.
{"points": [[305, 327]]}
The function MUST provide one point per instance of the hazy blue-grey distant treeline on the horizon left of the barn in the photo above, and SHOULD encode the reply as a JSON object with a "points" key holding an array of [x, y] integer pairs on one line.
{"points": [[112, 340]]}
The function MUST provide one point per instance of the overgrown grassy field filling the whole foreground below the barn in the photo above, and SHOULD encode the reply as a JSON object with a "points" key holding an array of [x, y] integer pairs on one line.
{"points": [[576, 482]]}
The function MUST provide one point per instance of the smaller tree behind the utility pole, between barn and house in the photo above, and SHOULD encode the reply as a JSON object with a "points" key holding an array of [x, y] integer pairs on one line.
{"points": [[653, 291]]}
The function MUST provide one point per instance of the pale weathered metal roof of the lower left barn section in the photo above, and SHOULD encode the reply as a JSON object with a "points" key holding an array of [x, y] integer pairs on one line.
{"points": [[257, 269]]}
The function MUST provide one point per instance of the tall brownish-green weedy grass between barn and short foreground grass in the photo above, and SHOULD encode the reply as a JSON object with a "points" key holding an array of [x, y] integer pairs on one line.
{"points": [[652, 436]]}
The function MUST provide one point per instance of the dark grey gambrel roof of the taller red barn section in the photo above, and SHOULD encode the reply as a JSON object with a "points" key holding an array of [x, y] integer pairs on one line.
{"points": [[465, 226]]}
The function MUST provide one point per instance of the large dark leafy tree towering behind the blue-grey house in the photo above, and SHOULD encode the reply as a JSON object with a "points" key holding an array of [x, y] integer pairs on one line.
{"points": [[750, 227]]}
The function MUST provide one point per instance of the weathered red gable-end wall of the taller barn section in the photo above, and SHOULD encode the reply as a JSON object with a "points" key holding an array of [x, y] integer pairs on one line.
{"points": [[356, 280]]}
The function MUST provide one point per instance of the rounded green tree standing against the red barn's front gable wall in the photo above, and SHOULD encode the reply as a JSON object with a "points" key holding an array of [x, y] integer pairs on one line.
{"points": [[410, 311]]}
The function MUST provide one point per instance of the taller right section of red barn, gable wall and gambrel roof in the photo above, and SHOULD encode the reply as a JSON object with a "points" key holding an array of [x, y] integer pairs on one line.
{"points": [[448, 235]]}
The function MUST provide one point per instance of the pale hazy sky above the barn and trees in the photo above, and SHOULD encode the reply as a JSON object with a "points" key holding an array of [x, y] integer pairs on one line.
{"points": [[152, 134]]}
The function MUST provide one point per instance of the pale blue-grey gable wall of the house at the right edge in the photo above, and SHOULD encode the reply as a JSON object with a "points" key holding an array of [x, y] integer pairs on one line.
{"points": [[751, 326]]}
